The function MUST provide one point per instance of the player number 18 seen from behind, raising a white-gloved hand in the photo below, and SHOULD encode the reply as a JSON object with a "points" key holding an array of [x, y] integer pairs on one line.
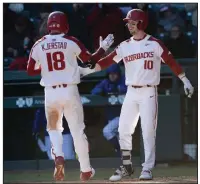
{"points": [[56, 54]]}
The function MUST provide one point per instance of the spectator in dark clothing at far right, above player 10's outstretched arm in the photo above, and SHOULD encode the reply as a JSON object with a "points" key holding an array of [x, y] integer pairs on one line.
{"points": [[179, 44]]}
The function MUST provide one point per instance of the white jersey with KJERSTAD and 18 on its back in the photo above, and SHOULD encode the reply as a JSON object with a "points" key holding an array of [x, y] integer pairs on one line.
{"points": [[57, 56]]}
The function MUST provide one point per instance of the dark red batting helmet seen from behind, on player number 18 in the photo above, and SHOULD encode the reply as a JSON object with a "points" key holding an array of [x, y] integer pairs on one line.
{"points": [[57, 21]]}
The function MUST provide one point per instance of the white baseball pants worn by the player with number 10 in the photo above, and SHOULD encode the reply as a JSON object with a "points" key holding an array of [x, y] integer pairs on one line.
{"points": [[140, 102]]}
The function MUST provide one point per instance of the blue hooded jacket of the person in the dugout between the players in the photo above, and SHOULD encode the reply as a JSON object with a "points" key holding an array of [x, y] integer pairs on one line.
{"points": [[107, 87]]}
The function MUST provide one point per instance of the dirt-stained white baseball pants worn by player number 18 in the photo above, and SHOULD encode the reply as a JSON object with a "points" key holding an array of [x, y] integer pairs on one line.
{"points": [[66, 100]]}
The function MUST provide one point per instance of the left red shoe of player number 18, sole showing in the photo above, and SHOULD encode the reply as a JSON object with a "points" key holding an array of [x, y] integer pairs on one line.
{"points": [[59, 171]]}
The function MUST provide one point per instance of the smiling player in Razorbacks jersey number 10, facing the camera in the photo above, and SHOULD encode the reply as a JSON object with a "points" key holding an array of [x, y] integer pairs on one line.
{"points": [[142, 55]]}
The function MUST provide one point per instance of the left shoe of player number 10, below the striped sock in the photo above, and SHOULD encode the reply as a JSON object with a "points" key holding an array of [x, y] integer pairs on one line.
{"points": [[121, 172]]}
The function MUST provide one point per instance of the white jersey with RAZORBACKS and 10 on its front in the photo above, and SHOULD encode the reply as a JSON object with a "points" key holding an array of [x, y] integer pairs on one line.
{"points": [[142, 60]]}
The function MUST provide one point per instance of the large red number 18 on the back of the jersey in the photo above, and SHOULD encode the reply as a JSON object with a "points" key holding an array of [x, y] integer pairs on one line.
{"points": [[55, 61]]}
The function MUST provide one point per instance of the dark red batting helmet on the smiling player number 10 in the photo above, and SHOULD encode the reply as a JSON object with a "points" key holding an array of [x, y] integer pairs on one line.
{"points": [[137, 15]]}
